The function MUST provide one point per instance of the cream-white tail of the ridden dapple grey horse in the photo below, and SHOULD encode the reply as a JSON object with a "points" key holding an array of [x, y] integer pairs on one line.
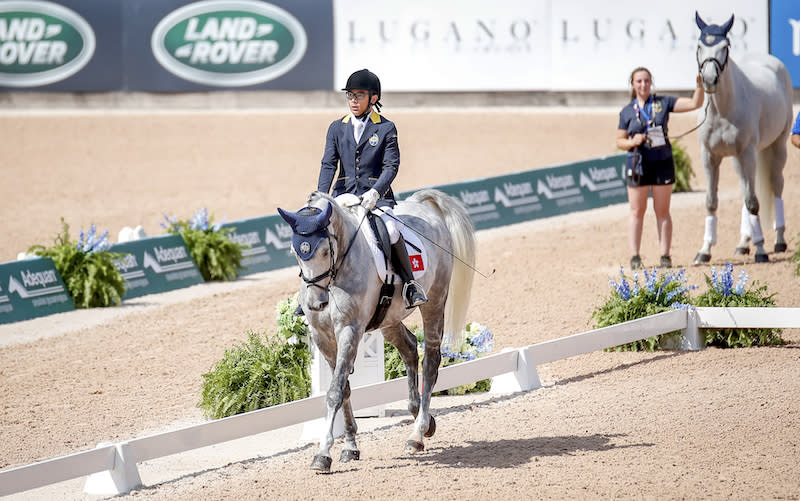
{"points": [[462, 232]]}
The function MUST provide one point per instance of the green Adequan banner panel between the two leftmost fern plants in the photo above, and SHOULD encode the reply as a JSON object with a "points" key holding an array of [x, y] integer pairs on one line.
{"points": [[157, 264]]}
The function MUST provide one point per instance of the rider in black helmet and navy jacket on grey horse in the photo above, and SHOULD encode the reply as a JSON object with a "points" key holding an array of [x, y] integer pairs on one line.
{"points": [[362, 147]]}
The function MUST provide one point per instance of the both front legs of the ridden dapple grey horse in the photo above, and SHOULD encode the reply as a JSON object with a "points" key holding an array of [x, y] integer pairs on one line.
{"points": [[338, 396]]}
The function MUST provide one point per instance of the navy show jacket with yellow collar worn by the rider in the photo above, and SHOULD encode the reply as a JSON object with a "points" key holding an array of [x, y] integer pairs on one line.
{"points": [[372, 163]]}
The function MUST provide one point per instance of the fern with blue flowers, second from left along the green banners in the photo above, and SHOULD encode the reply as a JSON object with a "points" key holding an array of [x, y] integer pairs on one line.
{"points": [[217, 256]]}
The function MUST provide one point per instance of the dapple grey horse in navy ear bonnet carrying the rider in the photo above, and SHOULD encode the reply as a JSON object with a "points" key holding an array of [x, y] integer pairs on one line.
{"points": [[341, 288]]}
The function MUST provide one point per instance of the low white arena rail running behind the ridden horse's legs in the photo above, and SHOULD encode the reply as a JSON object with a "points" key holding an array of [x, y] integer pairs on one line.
{"points": [[511, 371]]}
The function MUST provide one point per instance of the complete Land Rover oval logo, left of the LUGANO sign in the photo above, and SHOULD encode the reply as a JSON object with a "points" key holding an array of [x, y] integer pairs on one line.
{"points": [[229, 42]]}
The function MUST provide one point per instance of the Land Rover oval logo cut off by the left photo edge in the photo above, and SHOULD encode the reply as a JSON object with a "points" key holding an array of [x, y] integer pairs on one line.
{"points": [[41, 43]]}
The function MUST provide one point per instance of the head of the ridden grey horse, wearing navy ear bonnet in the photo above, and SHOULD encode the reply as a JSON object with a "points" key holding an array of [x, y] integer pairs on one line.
{"points": [[313, 248]]}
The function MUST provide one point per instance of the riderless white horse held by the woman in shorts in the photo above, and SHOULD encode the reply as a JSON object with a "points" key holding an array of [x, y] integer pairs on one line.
{"points": [[748, 117]]}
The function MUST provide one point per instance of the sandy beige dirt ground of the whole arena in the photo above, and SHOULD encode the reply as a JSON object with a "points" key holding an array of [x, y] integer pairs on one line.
{"points": [[713, 424]]}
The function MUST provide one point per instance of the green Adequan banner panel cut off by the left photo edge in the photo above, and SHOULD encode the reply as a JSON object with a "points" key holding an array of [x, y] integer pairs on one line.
{"points": [[31, 288]]}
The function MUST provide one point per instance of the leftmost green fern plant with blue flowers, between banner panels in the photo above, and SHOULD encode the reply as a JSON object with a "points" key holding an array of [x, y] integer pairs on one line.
{"points": [[86, 266]]}
